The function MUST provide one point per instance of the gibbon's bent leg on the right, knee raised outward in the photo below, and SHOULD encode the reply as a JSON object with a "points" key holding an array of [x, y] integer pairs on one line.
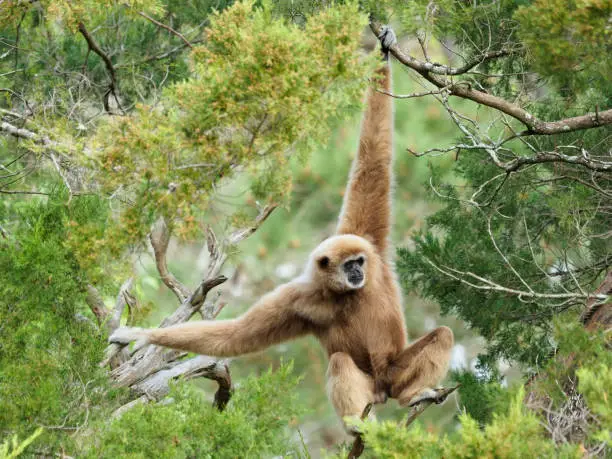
{"points": [[421, 366]]}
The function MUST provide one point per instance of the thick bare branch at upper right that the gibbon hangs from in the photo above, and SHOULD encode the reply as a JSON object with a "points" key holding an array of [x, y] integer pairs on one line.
{"points": [[431, 72]]}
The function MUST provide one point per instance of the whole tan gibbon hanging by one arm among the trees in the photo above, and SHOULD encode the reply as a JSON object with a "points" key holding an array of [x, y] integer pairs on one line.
{"points": [[347, 296]]}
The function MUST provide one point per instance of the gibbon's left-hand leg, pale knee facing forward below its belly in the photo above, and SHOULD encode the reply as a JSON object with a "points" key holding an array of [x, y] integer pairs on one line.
{"points": [[349, 389]]}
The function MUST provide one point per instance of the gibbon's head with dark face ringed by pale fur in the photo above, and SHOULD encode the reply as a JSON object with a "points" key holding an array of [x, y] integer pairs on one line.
{"points": [[341, 263]]}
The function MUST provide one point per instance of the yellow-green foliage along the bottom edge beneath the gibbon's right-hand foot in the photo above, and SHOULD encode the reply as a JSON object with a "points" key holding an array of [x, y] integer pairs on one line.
{"points": [[515, 433]]}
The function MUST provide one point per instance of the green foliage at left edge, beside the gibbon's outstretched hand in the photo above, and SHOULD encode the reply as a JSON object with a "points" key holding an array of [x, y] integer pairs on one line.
{"points": [[50, 349]]}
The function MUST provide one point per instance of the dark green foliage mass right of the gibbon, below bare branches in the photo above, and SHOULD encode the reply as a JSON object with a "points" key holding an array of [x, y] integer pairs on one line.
{"points": [[535, 230]]}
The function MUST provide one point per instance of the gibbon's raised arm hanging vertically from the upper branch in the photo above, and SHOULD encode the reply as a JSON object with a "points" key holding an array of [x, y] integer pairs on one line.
{"points": [[366, 210]]}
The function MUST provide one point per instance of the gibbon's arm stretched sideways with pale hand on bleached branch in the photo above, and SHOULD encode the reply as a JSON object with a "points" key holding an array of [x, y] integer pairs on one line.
{"points": [[272, 320]]}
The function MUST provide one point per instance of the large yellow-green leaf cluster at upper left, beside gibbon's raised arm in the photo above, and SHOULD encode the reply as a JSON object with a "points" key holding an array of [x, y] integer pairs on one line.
{"points": [[262, 89]]}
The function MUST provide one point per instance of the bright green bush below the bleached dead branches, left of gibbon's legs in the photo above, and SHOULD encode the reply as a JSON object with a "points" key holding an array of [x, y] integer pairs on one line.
{"points": [[255, 424]]}
